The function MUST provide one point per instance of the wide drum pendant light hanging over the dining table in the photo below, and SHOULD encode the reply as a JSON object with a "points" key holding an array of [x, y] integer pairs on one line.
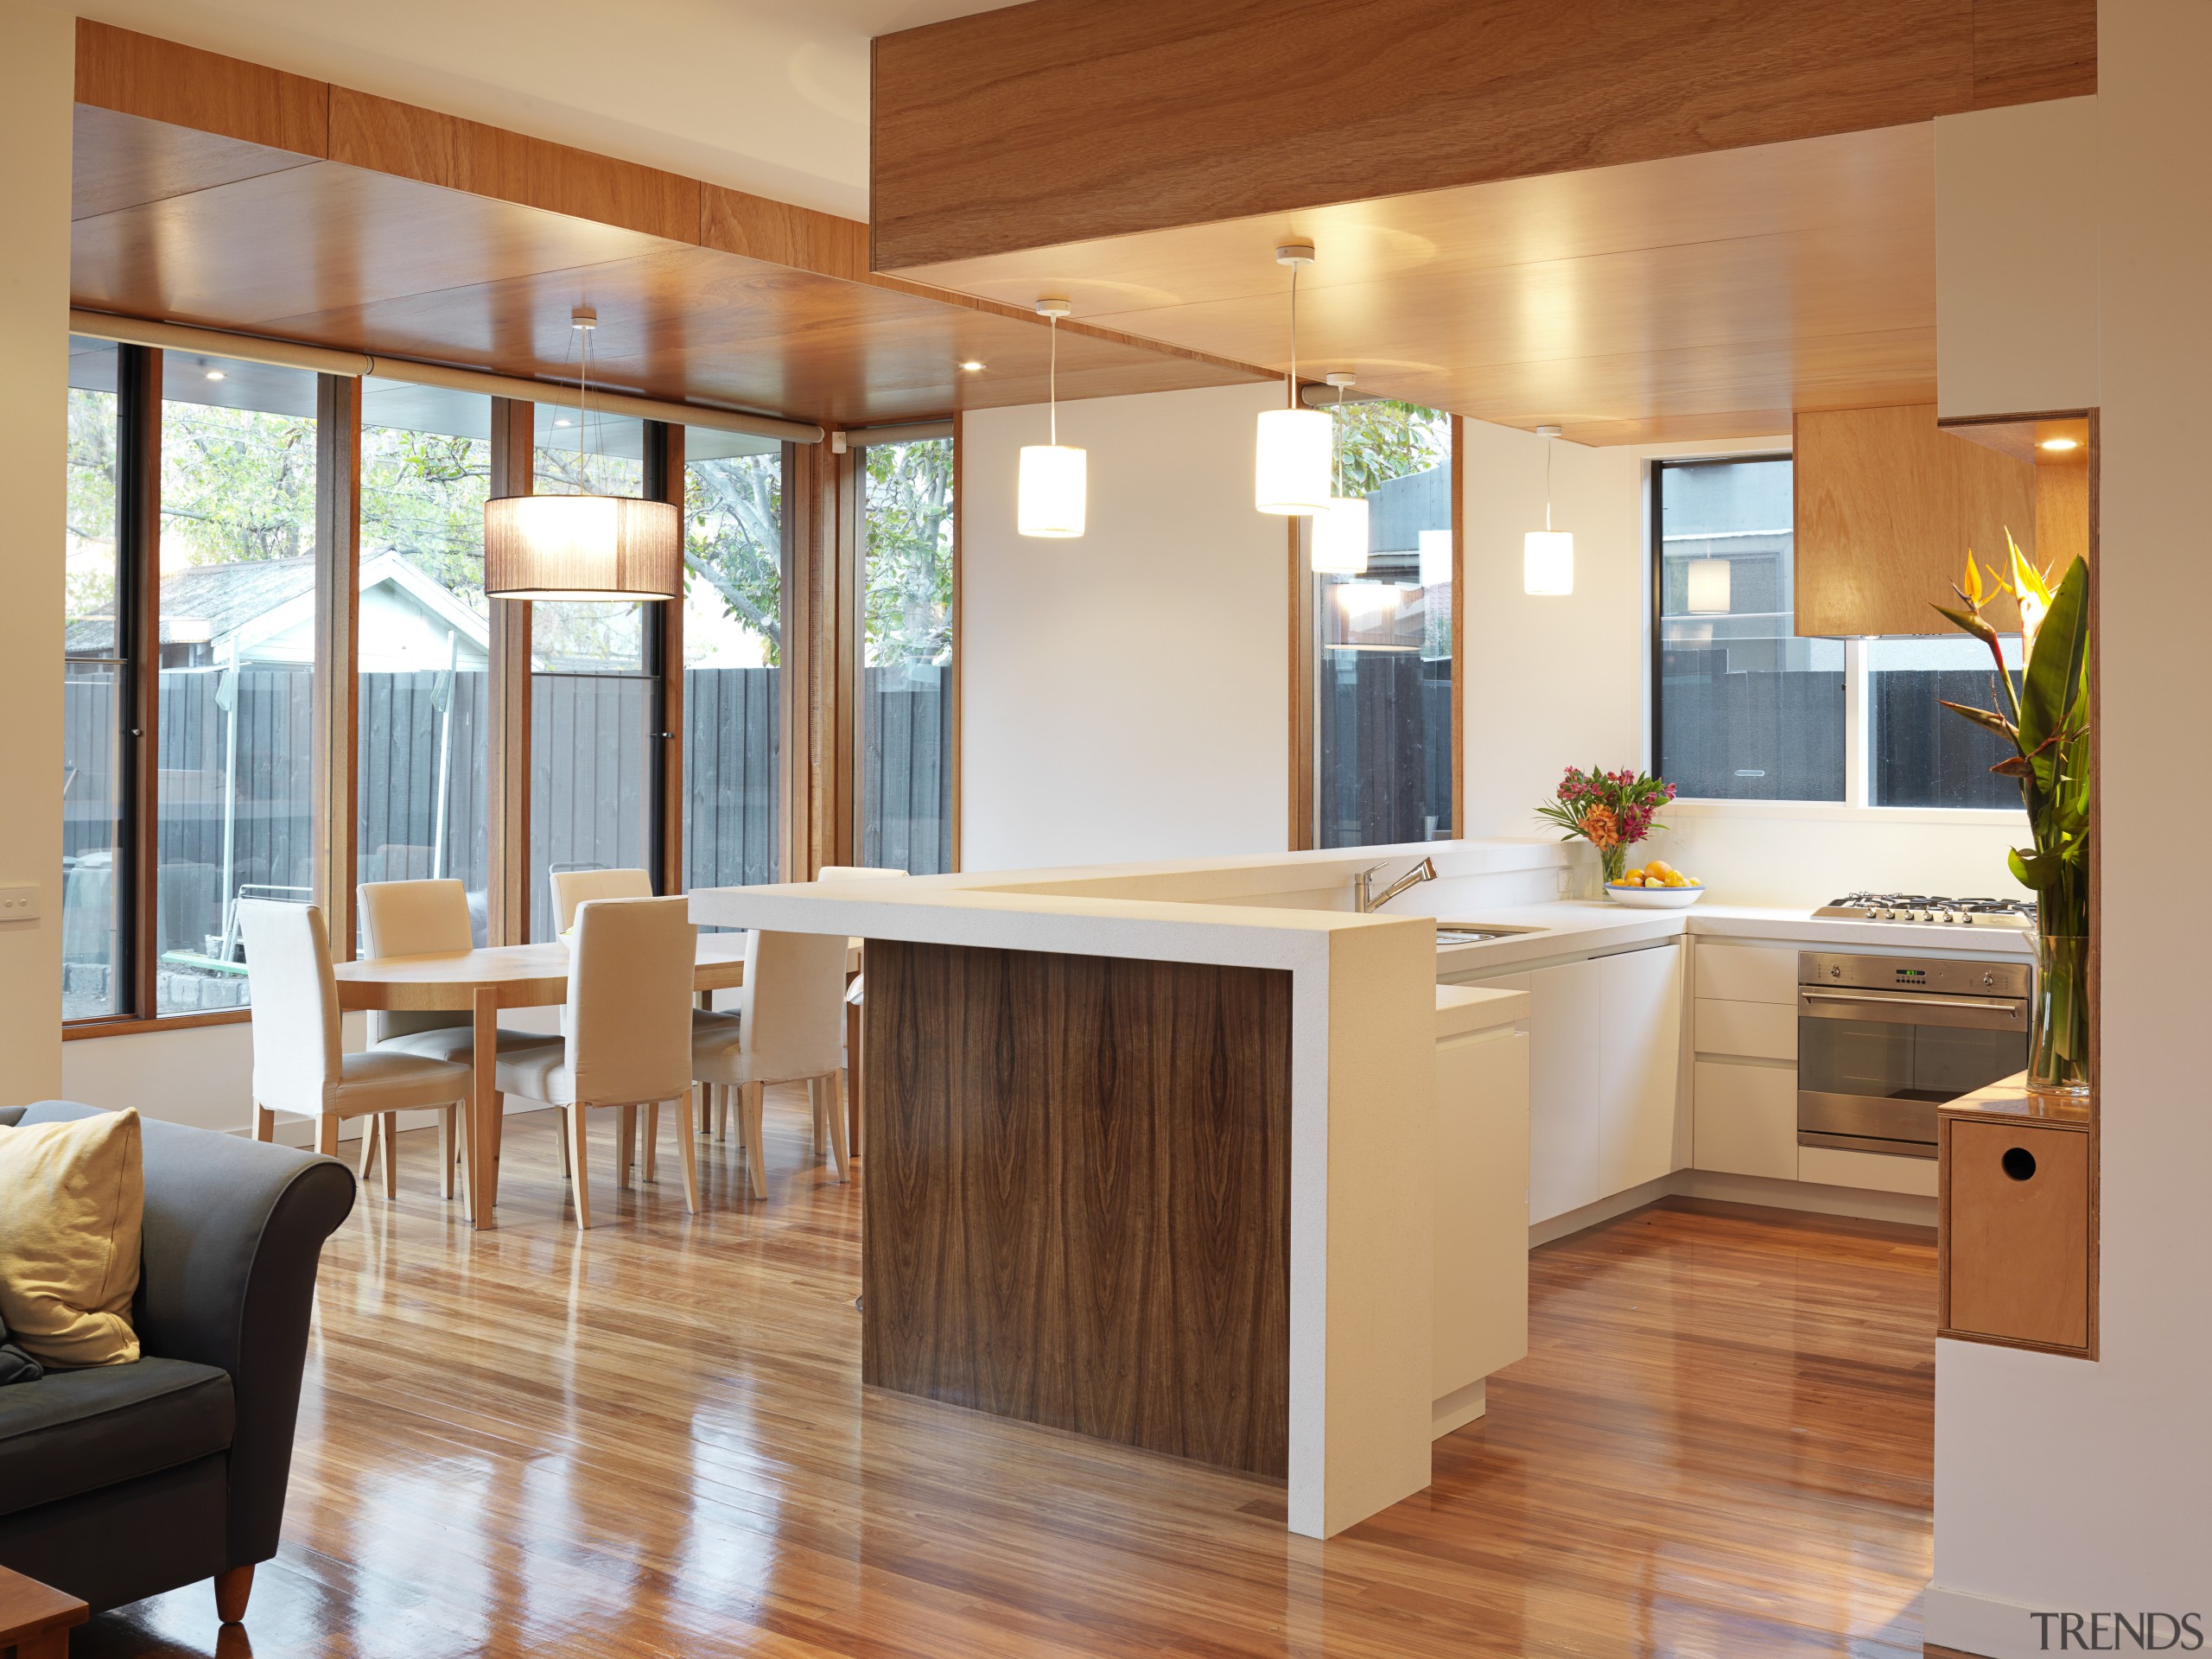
{"points": [[583, 547]]}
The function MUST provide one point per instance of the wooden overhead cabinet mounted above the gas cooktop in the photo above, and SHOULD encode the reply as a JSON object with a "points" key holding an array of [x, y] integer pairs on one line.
{"points": [[1888, 508]]}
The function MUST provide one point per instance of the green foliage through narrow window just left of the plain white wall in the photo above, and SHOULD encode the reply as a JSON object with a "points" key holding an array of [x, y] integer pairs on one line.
{"points": [[910, 552]]}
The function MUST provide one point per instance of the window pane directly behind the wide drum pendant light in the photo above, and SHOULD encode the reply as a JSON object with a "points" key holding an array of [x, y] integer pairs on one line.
{"points": [[596, 696]]}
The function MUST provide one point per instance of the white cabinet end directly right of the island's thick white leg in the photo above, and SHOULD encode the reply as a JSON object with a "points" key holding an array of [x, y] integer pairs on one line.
{"points": [[1481, 1215]]}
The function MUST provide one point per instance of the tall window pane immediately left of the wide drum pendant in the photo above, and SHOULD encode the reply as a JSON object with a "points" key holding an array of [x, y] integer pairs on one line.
{"points": [[424, 640]]}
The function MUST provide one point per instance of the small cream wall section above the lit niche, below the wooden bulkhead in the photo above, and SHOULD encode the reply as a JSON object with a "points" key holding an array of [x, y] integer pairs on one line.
{"points": [[2016, 260]]}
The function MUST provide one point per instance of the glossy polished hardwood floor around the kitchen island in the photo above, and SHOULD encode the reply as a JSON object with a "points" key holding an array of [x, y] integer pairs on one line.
{"points": [[654, 1441]]}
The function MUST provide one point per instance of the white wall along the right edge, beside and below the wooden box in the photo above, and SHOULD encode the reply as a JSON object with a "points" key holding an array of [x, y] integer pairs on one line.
{"points": [[2060, 1483]]}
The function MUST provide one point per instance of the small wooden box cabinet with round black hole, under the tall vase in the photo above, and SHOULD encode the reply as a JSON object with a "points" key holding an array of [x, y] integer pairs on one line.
{"points": [[2018, 1222]]}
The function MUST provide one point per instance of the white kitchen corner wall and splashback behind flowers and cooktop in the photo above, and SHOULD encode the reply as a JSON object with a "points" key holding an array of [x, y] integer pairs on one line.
{"points": [[1556, 682]]}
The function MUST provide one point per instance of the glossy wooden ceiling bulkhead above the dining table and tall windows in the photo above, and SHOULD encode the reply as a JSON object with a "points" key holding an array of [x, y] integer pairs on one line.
{"points": [[231, 196]]}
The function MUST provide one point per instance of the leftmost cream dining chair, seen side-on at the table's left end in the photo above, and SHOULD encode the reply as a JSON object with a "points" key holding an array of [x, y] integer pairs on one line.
{"points": [[300, 1063]]}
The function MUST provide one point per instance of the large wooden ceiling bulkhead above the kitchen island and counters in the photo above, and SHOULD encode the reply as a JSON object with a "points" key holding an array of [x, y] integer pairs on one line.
{"points": [[1640, 222]]}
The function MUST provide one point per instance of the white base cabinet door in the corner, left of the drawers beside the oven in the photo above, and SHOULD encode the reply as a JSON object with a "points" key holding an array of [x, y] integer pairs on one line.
{"points": [[1640, 1067]]}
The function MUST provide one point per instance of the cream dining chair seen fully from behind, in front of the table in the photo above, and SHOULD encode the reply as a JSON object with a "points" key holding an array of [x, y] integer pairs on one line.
{"points": [[625, 1032]]}
